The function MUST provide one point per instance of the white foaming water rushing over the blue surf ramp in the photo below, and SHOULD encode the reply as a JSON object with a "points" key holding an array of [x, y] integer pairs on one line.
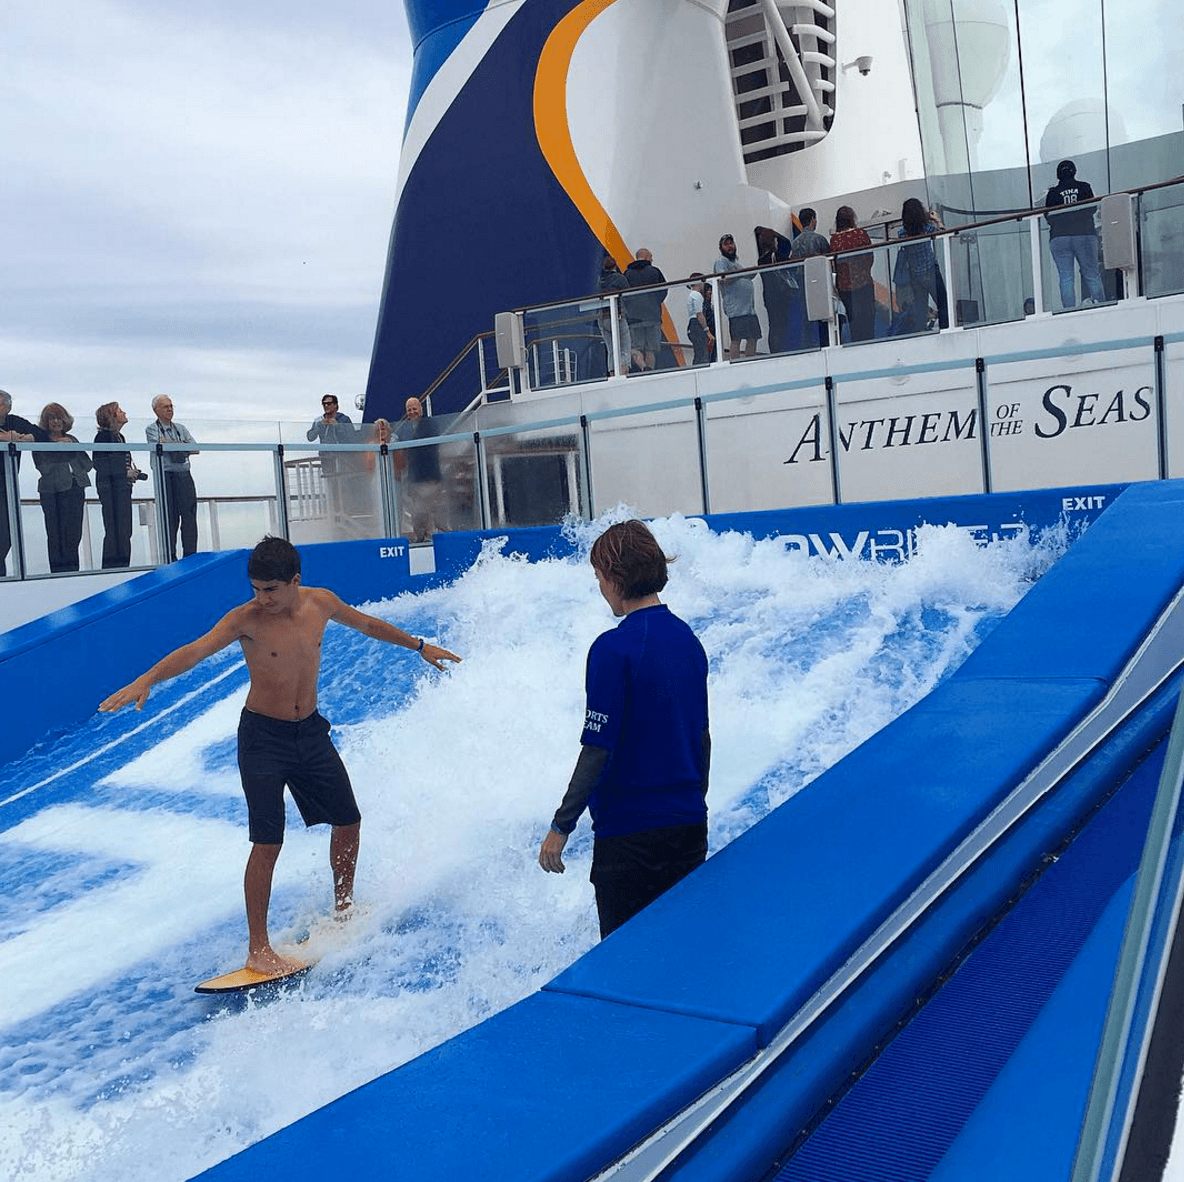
{"points": [[125, 845]]}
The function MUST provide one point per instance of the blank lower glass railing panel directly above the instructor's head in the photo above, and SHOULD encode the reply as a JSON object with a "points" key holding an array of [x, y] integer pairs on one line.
{"points": [[647, 461]]}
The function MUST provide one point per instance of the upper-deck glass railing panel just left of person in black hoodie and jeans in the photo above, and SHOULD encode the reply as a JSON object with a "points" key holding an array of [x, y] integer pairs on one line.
{"points": [[993, 274]]}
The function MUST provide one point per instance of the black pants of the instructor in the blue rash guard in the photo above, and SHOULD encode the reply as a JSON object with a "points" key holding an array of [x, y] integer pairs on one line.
{"points": [[632, 871]]}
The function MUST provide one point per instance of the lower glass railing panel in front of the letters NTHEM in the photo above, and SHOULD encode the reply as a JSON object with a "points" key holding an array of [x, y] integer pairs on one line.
{"points": [[921, 440]]}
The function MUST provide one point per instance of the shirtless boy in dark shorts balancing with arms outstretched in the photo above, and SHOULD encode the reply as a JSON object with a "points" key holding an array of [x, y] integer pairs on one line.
{"points": [[282, 740]]}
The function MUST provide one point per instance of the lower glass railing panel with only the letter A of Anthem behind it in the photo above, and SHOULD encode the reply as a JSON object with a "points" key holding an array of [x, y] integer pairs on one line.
{"points": [[768, 453]]}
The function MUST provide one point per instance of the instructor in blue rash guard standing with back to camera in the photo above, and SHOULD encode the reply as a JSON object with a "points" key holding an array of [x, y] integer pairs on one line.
{"points": [[644, 767]]}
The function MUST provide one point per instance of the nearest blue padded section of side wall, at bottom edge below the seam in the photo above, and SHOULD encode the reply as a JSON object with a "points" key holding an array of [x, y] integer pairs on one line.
{"points": [[520, 1099]]}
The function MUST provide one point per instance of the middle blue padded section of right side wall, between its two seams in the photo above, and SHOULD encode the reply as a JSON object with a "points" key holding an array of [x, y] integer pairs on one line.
{"points": [[891, 811]]}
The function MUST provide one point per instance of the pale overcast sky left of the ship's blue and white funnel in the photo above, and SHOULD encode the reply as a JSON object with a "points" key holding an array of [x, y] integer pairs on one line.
{"points": [[196, 200]]}
